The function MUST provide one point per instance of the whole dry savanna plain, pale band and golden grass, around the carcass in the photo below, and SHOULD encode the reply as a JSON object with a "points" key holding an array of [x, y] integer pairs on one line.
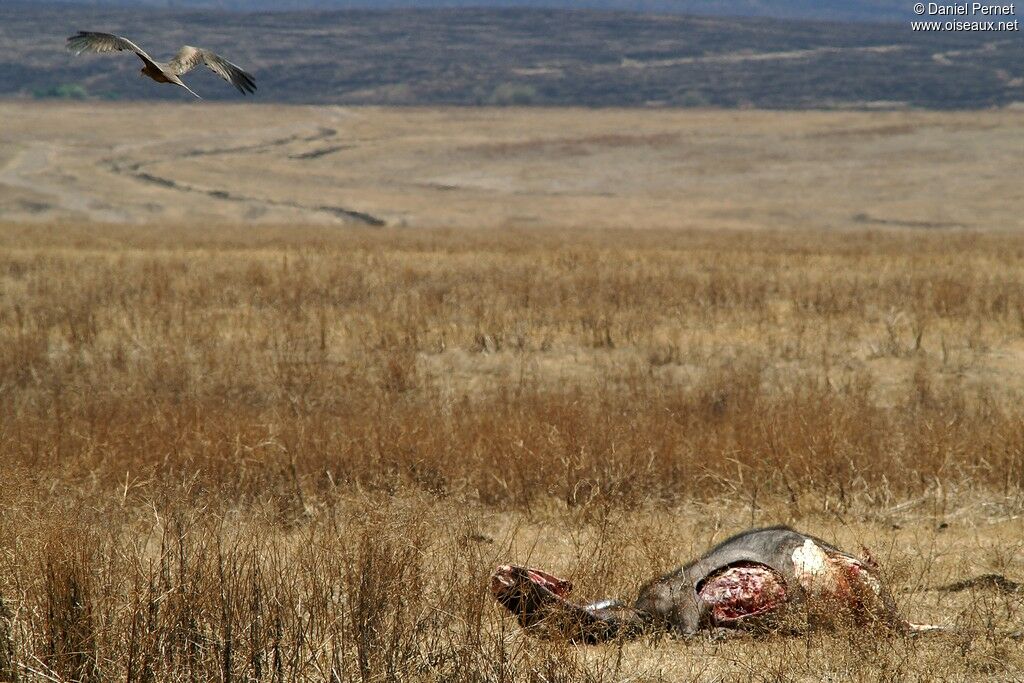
{"points": [[281, 387]]}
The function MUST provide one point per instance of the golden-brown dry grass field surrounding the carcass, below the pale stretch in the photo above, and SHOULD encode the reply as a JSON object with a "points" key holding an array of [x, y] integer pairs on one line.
{"points": [[296, 453]]}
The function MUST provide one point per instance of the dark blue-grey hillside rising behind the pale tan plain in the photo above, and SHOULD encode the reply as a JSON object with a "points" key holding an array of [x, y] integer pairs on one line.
{"points": [[522, 57]]}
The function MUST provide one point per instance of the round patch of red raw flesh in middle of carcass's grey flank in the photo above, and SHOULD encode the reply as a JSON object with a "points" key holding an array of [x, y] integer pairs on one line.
{"points": [[741, 591]]}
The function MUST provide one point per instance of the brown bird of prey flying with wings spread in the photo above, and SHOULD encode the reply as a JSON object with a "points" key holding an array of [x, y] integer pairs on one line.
{"points": [[188, 59]]}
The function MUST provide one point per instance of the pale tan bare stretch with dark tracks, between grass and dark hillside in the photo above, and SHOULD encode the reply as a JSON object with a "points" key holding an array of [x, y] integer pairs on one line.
{"points": [[504, 168]]}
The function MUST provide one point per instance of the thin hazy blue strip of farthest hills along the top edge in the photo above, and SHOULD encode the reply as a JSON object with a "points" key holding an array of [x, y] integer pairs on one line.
{"points": [[863, 11]]}
